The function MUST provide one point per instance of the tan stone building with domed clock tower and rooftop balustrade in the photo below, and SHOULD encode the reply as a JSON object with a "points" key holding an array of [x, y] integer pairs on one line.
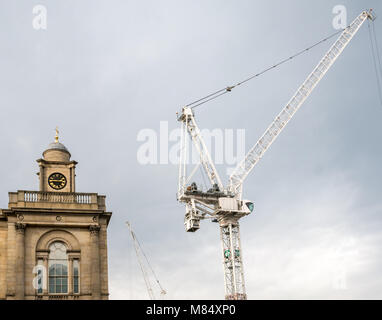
{"points": [[53, 242]]}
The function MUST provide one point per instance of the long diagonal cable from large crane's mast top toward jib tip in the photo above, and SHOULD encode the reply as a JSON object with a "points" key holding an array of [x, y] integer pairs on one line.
{"points": [[228, 89]]}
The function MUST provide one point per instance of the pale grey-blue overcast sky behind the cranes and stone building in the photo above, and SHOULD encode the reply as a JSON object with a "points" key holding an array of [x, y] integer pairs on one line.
{"points": [[105, 70]]}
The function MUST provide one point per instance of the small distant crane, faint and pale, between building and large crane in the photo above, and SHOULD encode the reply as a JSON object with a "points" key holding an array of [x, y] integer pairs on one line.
{"points": [[139, 251]]}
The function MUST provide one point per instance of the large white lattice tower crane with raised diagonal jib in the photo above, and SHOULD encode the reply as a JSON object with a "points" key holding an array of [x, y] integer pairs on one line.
{"points": [[225, 204]]}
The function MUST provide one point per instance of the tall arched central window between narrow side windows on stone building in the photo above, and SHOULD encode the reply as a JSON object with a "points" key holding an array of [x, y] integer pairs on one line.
{"points": [[58, 268]]}
